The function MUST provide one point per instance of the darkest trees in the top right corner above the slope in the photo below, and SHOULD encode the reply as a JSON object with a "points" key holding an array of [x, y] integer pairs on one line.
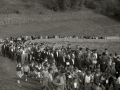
{"points": [[107, 7]]}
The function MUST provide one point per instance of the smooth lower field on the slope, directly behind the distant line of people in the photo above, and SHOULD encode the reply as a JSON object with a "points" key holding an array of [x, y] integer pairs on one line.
{"points": [[64, 25]]}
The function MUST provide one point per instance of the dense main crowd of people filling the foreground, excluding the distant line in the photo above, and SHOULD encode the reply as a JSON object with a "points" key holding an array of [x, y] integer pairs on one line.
{"points": [[63, 68]]}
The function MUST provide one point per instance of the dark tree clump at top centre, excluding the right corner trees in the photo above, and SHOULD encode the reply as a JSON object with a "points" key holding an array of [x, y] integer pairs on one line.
{"points": [[63, 4]]}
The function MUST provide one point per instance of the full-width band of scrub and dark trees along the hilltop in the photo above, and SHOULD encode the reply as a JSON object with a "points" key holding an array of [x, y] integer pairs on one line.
{"points": [[107, 7]]}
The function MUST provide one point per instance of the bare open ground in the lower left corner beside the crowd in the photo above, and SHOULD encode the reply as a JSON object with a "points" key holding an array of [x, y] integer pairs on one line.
{"points": [[8, 77]]}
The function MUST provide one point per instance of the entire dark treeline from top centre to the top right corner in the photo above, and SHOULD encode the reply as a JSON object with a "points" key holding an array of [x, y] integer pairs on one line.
{"points": [[108, 7]]}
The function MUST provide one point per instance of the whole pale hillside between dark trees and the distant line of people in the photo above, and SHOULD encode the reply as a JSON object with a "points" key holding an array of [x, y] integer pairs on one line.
{"points": [[30, 21]]}
